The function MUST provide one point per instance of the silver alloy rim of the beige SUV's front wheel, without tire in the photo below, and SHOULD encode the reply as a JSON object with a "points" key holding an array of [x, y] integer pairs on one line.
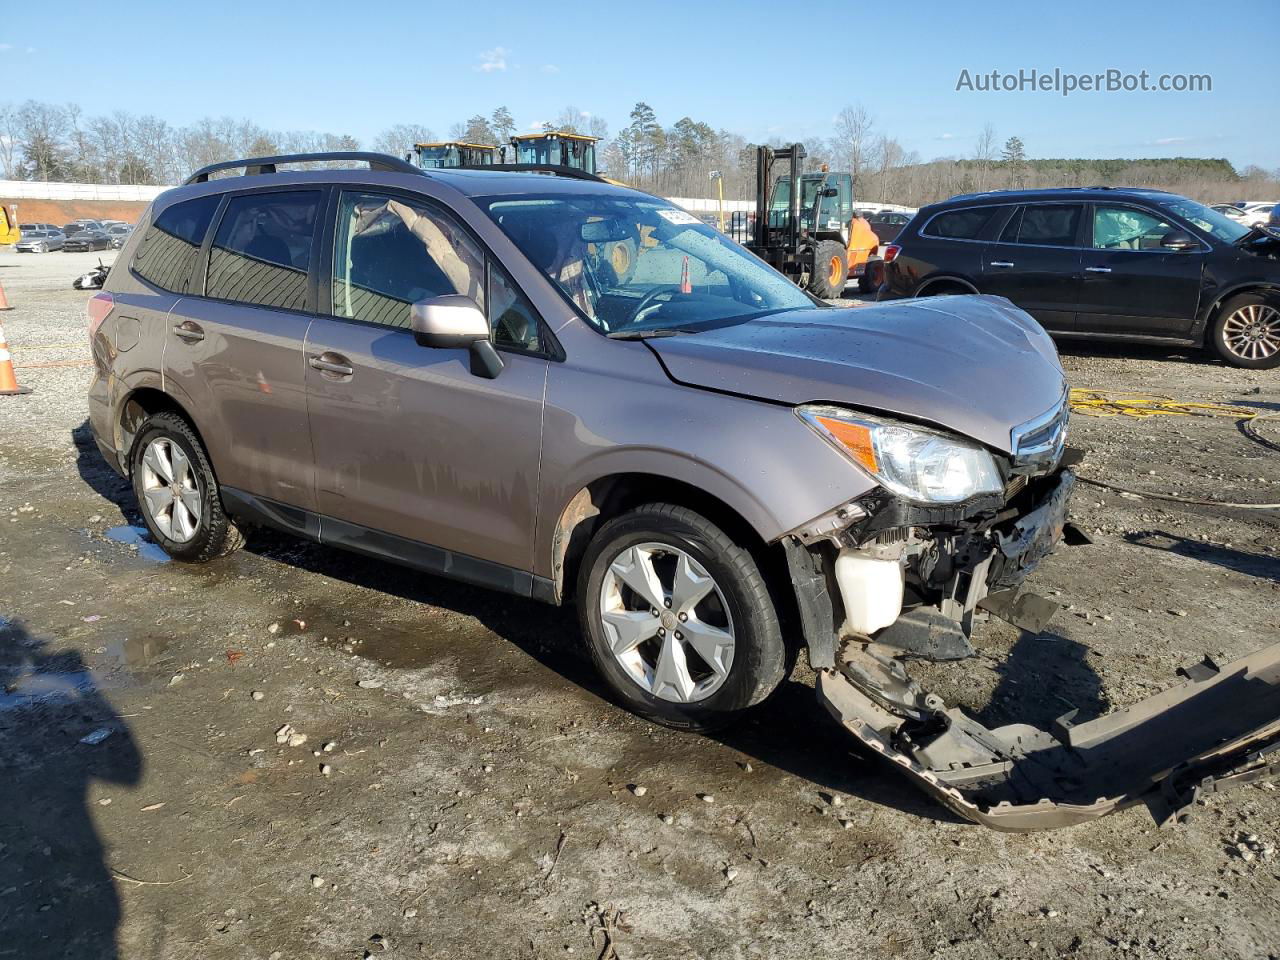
{"points": [[666, 623]]}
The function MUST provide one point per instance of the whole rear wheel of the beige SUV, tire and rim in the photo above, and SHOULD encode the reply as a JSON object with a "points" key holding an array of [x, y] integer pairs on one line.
{"points": [[179, 495]]}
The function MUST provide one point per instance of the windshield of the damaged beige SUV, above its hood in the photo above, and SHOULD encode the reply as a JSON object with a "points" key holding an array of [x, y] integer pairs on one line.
{"points": [[639, 264]]}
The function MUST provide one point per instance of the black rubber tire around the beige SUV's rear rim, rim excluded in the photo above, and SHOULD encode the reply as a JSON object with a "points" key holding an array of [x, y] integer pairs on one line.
{"points": [[217, 534]]}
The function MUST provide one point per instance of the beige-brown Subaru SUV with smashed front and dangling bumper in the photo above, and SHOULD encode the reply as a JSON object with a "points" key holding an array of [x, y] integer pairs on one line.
{"points": [[578, 392]]}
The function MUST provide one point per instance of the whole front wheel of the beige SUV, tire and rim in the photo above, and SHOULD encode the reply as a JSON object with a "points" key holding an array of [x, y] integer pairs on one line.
{"points": [[679, 619]]}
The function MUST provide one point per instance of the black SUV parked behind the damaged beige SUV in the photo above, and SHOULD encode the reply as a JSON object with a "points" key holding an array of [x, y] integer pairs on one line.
{"points": [[1103, 263]]}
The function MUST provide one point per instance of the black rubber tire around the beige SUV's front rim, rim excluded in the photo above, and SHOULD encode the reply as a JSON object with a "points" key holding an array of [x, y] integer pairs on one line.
{"points": [[760, 652]]}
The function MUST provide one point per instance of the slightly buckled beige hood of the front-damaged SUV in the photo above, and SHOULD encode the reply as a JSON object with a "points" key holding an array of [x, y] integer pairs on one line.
{"points": [[975, 365]]}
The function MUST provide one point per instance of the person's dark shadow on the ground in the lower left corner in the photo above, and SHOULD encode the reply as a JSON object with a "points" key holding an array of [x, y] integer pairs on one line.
{"points": [[58, 898]]}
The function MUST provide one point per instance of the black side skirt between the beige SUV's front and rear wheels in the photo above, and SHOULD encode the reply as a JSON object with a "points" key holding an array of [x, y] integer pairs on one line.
{"points": [[383, 546]]}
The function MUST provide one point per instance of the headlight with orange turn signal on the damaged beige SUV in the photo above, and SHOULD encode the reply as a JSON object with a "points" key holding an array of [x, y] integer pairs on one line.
{"points": [[912, 461]]}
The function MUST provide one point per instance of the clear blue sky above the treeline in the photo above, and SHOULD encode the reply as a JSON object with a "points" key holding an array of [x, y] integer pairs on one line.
{"points": [[359, 68]]}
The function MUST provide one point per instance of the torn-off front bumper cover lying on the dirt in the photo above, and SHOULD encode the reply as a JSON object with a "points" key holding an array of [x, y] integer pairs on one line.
{"points": [[1214, 732]]}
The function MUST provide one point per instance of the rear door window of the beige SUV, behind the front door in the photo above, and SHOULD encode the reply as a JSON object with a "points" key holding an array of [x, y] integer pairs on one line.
{"points": [[263, 249]]}
